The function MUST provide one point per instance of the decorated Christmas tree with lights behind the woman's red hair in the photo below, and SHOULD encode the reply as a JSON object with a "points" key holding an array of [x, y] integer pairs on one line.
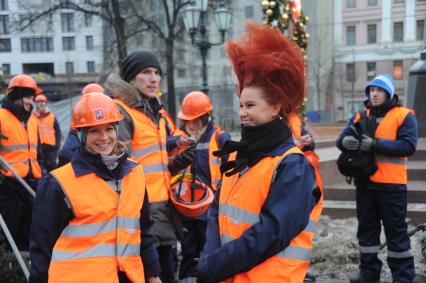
{"points": [[287, 16]]}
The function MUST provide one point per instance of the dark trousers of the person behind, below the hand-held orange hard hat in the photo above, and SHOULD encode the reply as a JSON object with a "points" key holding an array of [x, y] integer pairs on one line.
{"points": [[193, 241]]}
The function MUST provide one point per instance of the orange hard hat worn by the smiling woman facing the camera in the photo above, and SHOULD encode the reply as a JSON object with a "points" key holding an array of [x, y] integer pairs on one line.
{"points": [[95, 109]]}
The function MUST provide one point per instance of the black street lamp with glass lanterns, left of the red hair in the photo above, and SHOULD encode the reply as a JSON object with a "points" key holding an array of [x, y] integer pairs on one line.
{"points": [[196, 22]]}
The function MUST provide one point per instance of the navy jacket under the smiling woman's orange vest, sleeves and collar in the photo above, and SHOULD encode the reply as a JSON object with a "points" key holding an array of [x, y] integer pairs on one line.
{"points": [[52, 213]]}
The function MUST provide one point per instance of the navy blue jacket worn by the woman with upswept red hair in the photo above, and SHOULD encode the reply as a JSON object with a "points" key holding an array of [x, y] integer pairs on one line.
{"points": [[284, 214]]}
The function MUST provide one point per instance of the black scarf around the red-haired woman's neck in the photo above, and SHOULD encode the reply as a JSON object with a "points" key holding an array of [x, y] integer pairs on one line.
{"points": [[255, 143]]}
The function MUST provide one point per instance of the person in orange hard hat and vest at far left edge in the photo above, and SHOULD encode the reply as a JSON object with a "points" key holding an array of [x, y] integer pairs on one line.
{"points": [[19, 149]]}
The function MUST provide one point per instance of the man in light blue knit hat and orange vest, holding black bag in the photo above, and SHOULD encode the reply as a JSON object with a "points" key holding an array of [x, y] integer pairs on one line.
{"points": [[382, 197]]}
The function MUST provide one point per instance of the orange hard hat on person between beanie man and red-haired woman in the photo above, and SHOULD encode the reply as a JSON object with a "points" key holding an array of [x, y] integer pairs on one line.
{"points": [[195, 104]]}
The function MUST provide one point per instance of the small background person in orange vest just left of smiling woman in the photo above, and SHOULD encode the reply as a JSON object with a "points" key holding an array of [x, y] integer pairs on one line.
{"points": [[49, 133]]}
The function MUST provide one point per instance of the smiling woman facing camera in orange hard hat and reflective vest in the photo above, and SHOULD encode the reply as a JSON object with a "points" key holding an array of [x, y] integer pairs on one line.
{"points": [[91, 216]]}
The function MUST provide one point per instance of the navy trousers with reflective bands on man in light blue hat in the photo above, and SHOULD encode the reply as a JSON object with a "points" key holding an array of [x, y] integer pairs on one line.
{"points": [[390, 208]]}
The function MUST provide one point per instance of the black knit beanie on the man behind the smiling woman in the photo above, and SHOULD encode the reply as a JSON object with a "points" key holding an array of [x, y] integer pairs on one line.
{"points": [[136, 62]]}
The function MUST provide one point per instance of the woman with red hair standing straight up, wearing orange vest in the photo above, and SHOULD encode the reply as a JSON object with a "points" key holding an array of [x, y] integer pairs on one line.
{"points": [[260, 226]]}
